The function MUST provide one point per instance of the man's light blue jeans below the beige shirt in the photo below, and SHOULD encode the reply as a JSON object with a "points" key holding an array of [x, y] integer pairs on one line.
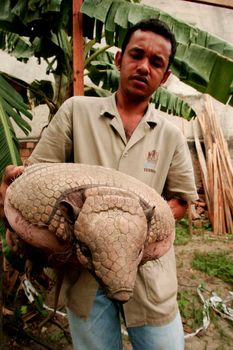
{"points": [[102, 330]]}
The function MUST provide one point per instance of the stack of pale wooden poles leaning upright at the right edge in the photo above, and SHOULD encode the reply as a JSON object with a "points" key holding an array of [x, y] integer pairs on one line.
{"points": [[216, 170]]}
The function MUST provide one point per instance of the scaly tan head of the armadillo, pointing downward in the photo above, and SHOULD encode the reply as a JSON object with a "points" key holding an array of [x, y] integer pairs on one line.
{"points": [[110, 234]]}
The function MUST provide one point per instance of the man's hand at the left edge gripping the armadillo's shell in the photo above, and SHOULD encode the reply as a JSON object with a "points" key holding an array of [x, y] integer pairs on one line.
{"points": [[11, 172]]}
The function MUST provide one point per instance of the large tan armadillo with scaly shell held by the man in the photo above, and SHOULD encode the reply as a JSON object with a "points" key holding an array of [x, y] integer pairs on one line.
{"points": [[105, 220]]}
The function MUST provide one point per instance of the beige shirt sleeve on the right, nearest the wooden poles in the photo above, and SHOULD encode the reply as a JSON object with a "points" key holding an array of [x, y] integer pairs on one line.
{"points": [[180, 182]]}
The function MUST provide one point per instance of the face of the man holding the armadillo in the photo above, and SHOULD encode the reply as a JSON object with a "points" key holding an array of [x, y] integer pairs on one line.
{"points": [[143, 65]]}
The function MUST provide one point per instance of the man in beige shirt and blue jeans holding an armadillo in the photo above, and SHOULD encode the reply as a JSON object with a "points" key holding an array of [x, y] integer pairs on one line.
{"points": [[124, 132]]}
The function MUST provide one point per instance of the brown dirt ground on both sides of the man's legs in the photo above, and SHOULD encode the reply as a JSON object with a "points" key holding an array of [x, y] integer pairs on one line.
{"points": [[218, 336]]}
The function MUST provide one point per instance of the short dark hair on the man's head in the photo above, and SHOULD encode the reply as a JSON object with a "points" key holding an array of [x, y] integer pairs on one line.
{"points": [[156, 26]]}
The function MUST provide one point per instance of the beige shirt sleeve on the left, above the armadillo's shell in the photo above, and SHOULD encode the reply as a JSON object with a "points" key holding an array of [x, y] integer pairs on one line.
{"points": [[56, 145]]}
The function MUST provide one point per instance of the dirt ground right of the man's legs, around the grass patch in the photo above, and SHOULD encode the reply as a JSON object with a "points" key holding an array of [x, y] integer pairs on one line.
{"points": [[219, 334]]}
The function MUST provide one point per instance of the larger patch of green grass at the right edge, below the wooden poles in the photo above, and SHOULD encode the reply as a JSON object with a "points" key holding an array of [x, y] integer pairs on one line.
{"points": [[217, 264]]}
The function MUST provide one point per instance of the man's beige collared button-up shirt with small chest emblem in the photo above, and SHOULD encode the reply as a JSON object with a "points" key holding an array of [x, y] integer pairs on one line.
{"points": [[89, 130]]}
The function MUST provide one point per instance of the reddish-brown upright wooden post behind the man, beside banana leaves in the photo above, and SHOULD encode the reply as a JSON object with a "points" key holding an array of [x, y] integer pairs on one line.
{"points": [[78, 50]]}
